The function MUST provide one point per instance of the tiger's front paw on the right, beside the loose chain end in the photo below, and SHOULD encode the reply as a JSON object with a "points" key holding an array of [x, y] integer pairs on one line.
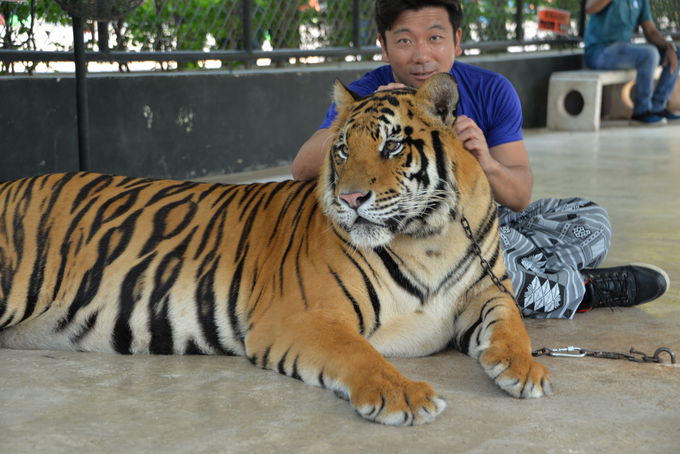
{"points": [[519, 375]]}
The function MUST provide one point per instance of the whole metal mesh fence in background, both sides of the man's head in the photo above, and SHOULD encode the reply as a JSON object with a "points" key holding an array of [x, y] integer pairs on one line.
{"points": [[36, 34]]}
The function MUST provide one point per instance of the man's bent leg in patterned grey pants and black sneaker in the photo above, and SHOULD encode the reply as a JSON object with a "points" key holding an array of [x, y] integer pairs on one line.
{"points": [[551, 251]]}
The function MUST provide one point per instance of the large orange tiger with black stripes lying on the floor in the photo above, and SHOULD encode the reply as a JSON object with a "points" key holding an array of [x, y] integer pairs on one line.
{"points": [[319, 281]]}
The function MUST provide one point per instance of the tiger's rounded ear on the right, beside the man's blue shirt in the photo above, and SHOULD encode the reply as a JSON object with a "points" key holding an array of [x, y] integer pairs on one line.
{"points": [[439, 94]]}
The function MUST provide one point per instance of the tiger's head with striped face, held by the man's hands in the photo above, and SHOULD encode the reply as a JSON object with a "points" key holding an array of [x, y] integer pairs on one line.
{"points": [[390, 167]]}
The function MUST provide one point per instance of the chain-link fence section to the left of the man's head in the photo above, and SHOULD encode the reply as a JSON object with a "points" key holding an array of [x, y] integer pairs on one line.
{"points": [[195, 25]]}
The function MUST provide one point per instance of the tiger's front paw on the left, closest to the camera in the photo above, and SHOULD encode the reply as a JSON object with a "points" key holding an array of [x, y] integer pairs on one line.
{"points": [[405, 404]]}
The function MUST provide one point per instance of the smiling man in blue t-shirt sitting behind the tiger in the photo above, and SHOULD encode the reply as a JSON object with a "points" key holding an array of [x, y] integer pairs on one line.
{"points": [[551, 246]]}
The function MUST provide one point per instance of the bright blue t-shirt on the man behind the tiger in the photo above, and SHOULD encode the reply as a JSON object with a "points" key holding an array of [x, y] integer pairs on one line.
{"points": [[488, 98]]}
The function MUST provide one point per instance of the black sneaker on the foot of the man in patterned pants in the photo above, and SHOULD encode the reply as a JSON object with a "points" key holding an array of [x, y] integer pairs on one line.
{"points": [[628, 285]]}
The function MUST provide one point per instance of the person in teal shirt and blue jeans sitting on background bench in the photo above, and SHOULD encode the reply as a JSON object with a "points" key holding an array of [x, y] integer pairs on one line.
{"points": [[607, 39]]}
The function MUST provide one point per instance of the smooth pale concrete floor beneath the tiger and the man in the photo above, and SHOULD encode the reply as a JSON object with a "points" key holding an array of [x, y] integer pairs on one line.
{"points": [[78, 402]]}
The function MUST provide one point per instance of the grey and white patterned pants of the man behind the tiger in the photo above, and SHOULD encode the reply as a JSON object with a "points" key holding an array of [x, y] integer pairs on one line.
{"points": [[546, 246]]}
